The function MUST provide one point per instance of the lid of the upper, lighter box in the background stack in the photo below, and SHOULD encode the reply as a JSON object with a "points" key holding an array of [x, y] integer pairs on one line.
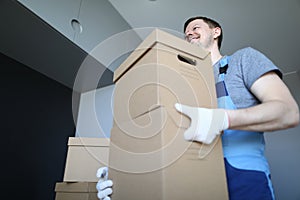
{"points": [[83, 141]]}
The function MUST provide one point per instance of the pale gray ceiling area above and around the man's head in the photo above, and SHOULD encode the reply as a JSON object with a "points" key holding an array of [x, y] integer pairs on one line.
{"points": [[271, 26]]}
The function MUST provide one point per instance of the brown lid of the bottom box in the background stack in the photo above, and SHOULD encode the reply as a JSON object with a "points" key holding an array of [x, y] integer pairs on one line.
{"points": [[76, 187]]}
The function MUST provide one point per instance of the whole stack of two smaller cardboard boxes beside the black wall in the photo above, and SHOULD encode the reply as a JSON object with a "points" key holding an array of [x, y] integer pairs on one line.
{"points": [[84, 157]]}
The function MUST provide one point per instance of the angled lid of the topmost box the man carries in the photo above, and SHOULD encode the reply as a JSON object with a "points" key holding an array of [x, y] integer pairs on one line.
{"points": [[159, 36]]}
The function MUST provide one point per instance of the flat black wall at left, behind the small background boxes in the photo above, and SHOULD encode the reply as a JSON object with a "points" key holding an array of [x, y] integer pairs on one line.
{"points": [[36, 122]]}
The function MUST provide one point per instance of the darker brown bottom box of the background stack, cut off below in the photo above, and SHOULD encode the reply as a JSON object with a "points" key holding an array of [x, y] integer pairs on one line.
{"points": [[76, 191]]}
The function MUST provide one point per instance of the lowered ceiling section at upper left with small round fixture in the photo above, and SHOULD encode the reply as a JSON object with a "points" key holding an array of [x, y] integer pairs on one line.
{"points": [[38, 33]]}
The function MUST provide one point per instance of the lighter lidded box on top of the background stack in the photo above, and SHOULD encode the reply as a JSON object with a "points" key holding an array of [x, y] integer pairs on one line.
{"points": [[84, 157]]}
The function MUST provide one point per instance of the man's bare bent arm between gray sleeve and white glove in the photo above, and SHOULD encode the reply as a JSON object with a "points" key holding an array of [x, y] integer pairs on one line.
{"points": [[277, 111]]}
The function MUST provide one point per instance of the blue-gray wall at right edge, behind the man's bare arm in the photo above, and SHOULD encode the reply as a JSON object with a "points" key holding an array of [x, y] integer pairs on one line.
{"points": [[283, 153]]}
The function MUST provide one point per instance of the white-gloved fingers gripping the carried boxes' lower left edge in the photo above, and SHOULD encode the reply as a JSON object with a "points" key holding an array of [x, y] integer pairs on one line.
{"points": [[104, 186]]}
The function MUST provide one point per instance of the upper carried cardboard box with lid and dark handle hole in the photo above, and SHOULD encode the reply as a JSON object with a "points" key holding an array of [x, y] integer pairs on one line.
{"points": [[163, 70]]}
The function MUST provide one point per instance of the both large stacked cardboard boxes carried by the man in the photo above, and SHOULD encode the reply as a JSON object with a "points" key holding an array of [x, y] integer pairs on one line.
{"points": [[149, 158]]}
